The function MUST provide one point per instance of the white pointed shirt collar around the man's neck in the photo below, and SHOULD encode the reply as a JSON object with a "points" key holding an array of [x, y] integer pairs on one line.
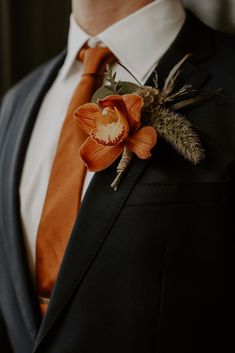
{"points": [[138, 41]]}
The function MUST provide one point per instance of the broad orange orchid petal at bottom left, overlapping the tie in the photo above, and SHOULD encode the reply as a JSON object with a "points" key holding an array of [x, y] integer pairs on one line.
{"points": [[98, 157]]}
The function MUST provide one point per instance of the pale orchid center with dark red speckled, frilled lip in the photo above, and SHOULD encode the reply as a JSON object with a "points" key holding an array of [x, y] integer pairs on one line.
{"points": [[111, 127]]}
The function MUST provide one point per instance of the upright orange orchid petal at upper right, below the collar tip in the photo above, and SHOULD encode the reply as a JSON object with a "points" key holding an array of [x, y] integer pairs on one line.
{"points": [[134, 104]]}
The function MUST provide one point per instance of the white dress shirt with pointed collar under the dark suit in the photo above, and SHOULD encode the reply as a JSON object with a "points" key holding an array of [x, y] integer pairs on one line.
{"points": [[138, 41]]}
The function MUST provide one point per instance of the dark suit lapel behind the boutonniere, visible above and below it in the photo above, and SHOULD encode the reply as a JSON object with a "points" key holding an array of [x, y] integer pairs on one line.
{"points": [[102, 205]]}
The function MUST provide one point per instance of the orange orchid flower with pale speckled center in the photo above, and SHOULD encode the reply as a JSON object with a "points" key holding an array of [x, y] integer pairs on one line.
{"points": [[113, 124]]}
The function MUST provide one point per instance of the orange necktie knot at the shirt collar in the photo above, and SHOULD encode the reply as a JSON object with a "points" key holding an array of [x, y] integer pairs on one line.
{"points": [[95, 60]]}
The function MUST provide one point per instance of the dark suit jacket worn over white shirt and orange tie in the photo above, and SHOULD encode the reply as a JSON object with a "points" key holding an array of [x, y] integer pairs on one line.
{"points": [[147, 267]]}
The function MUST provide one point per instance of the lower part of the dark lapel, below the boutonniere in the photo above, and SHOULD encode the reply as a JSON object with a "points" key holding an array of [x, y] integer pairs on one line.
{"points": [[97, 214]]}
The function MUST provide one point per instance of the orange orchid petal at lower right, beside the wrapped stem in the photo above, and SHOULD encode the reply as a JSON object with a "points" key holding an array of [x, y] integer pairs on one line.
{"points": [[142, 142]]}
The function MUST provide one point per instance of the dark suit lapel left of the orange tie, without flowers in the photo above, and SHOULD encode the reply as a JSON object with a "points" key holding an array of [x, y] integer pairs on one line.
{"points": [[13, 152]]}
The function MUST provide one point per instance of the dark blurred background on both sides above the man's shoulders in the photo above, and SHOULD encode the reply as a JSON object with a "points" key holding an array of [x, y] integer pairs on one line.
{"points": [[32, 31]]}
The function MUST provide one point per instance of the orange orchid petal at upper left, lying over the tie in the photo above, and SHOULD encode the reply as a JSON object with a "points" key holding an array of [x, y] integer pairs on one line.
{"points": [[85, 115]]}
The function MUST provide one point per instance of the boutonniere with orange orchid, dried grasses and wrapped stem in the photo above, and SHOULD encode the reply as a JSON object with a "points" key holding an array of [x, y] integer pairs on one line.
{"points": [[126, 119]]}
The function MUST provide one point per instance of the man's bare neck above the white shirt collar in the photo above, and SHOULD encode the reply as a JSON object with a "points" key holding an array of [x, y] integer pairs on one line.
{"points": [[94, 16]]}
